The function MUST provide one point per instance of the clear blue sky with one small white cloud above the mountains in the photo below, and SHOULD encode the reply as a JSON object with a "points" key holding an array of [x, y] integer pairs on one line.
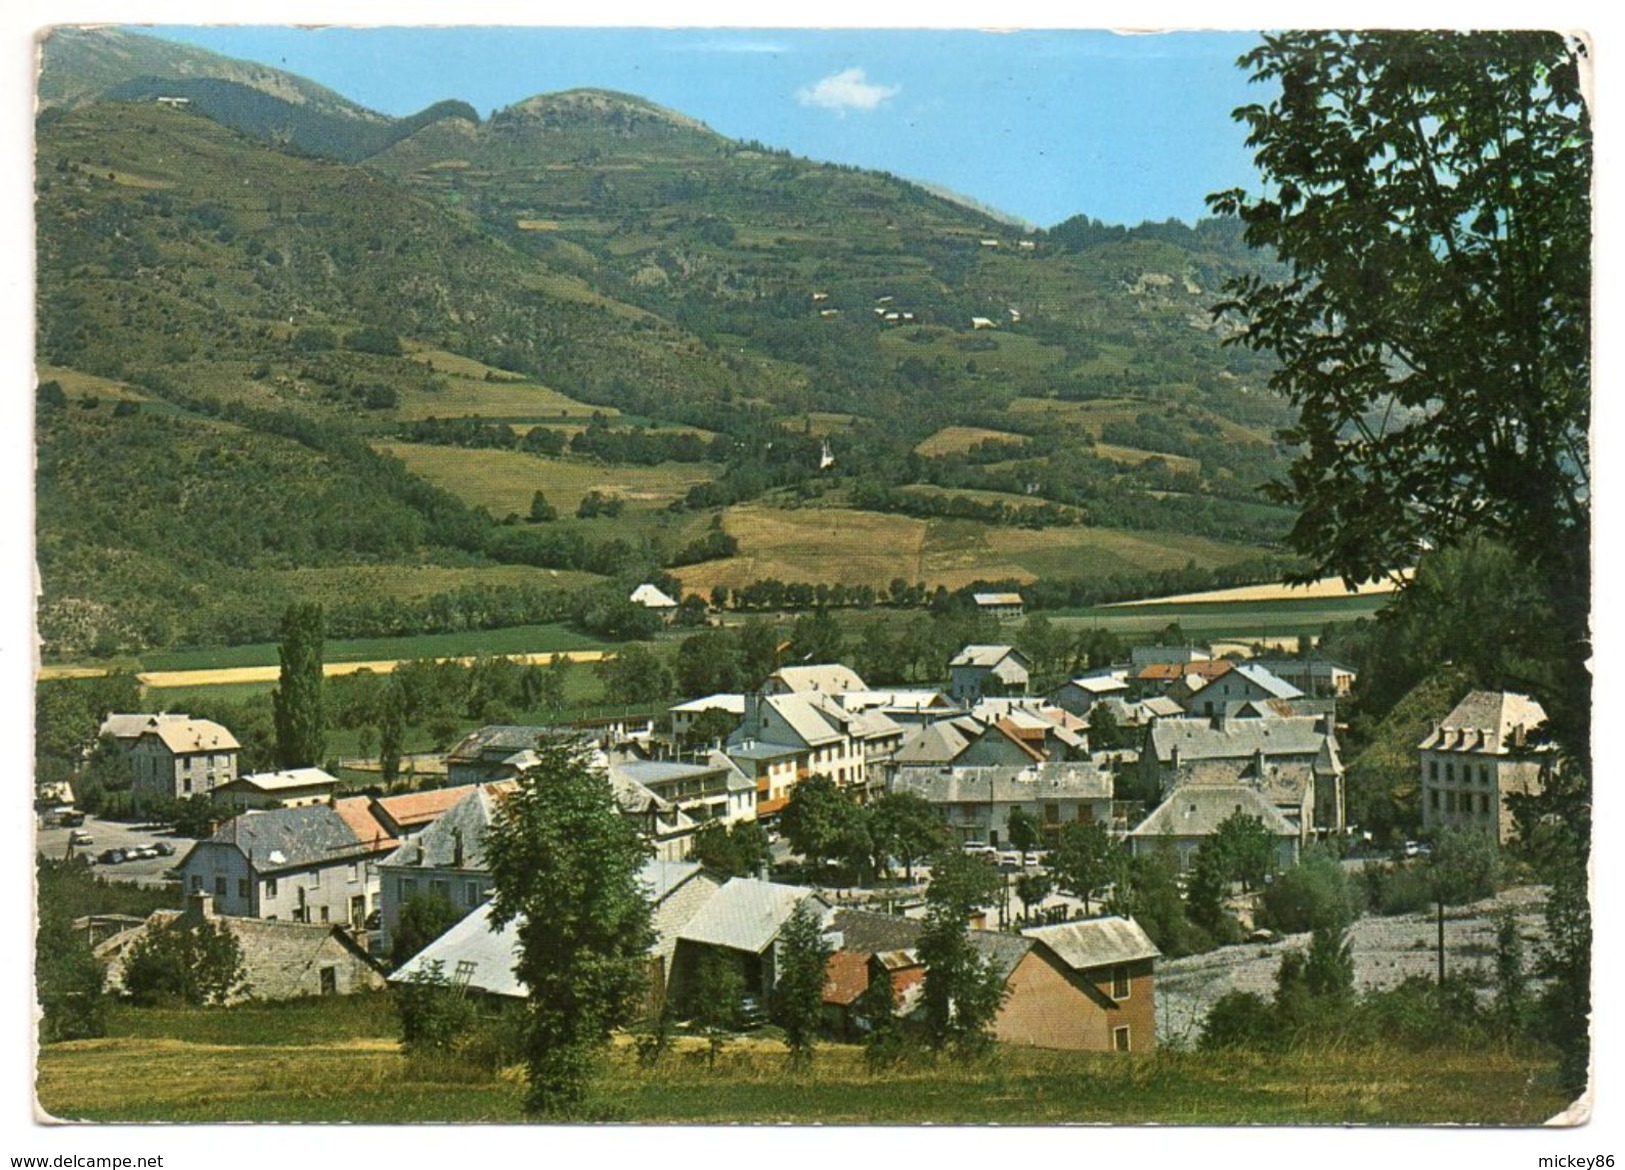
{"points": [[1041, 124]]}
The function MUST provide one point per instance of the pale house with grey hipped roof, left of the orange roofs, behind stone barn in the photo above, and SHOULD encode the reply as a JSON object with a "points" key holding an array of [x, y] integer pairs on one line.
{"points": [[295, 865]]}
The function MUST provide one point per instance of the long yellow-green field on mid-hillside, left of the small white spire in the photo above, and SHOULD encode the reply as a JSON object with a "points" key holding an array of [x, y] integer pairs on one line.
{"points": [[505, 482]]}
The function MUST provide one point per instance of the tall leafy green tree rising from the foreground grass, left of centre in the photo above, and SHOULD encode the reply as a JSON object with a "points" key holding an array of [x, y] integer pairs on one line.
{"points": [[565, 865]]}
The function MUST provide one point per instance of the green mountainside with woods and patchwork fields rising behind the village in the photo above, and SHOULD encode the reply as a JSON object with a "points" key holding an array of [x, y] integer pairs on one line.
{"points": [[280, 332]]}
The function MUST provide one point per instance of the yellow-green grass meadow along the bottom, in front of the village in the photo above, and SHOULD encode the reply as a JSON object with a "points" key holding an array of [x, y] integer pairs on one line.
{"points": [[339, 1062]]}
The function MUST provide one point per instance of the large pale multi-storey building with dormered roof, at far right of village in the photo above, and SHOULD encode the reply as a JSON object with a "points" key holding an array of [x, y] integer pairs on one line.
{"points": [[1478, 756]]}
